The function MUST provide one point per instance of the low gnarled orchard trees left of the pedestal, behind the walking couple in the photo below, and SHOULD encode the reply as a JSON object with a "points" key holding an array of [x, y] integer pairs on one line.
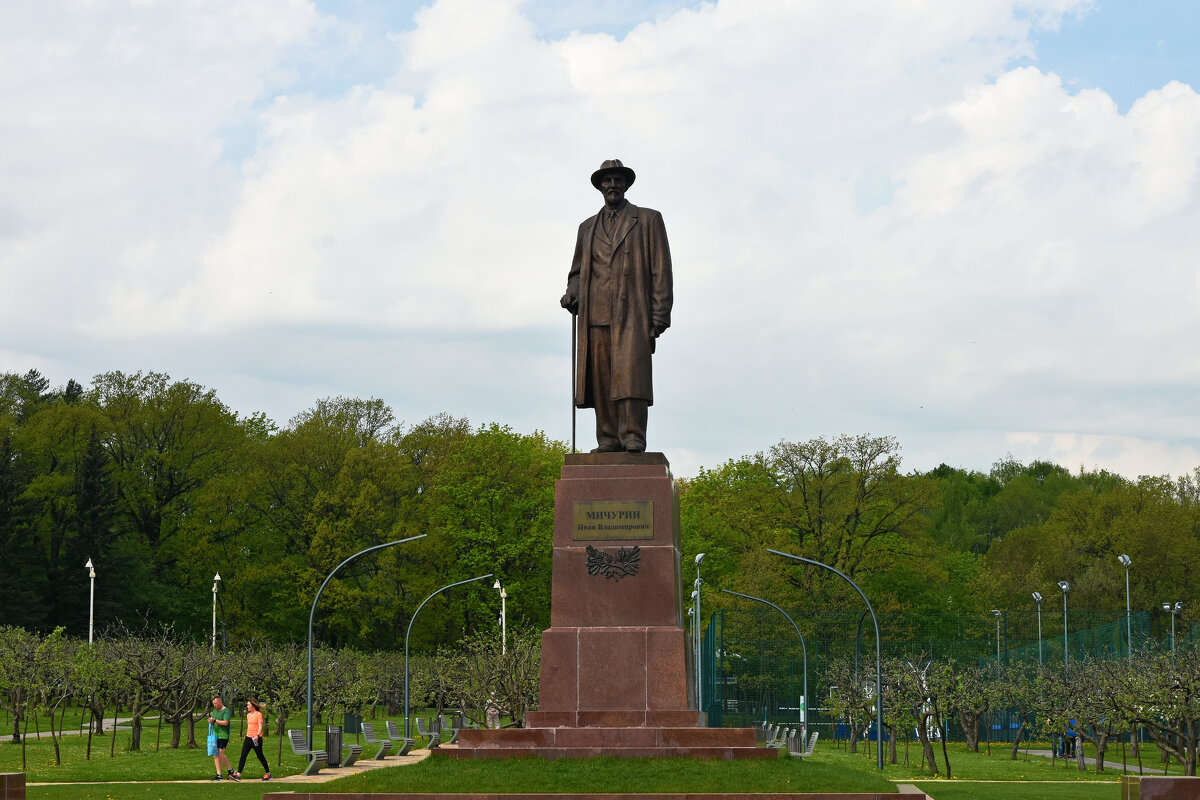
{"points": [[127, 676]]}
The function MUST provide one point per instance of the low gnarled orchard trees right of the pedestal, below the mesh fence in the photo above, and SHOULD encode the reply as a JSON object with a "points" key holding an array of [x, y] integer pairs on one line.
{"points": [[1097, 701]]}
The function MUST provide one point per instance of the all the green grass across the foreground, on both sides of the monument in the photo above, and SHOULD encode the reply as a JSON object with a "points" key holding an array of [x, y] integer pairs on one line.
{"points": [[976, 775]]}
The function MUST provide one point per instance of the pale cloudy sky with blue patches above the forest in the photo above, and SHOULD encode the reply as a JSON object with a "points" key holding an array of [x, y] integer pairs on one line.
{"points": [[974, 226]]}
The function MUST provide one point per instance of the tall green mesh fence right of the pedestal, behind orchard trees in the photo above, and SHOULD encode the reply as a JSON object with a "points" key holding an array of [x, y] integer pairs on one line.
{"points": [[754, 665]]}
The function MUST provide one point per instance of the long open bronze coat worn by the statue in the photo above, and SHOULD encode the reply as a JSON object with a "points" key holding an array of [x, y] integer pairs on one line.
{"points": [[643, 296]]}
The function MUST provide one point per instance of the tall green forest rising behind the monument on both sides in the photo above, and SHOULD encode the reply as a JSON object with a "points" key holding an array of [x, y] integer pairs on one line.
{"points": [[164, 486]]}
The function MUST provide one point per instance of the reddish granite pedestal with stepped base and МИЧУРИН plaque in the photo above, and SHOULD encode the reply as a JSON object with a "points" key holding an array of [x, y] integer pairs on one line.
{"points": [[615, 659]]}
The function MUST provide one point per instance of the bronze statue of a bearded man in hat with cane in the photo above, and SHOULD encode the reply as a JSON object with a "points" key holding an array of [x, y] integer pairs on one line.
{"points": [[621, 287]]}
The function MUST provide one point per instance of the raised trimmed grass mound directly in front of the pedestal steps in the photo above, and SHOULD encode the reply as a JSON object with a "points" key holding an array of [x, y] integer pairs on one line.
{"points": [[614, 775]]}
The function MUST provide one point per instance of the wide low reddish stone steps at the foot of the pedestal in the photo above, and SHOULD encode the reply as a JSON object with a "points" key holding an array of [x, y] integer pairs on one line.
{"points": [[724, 744]]}
